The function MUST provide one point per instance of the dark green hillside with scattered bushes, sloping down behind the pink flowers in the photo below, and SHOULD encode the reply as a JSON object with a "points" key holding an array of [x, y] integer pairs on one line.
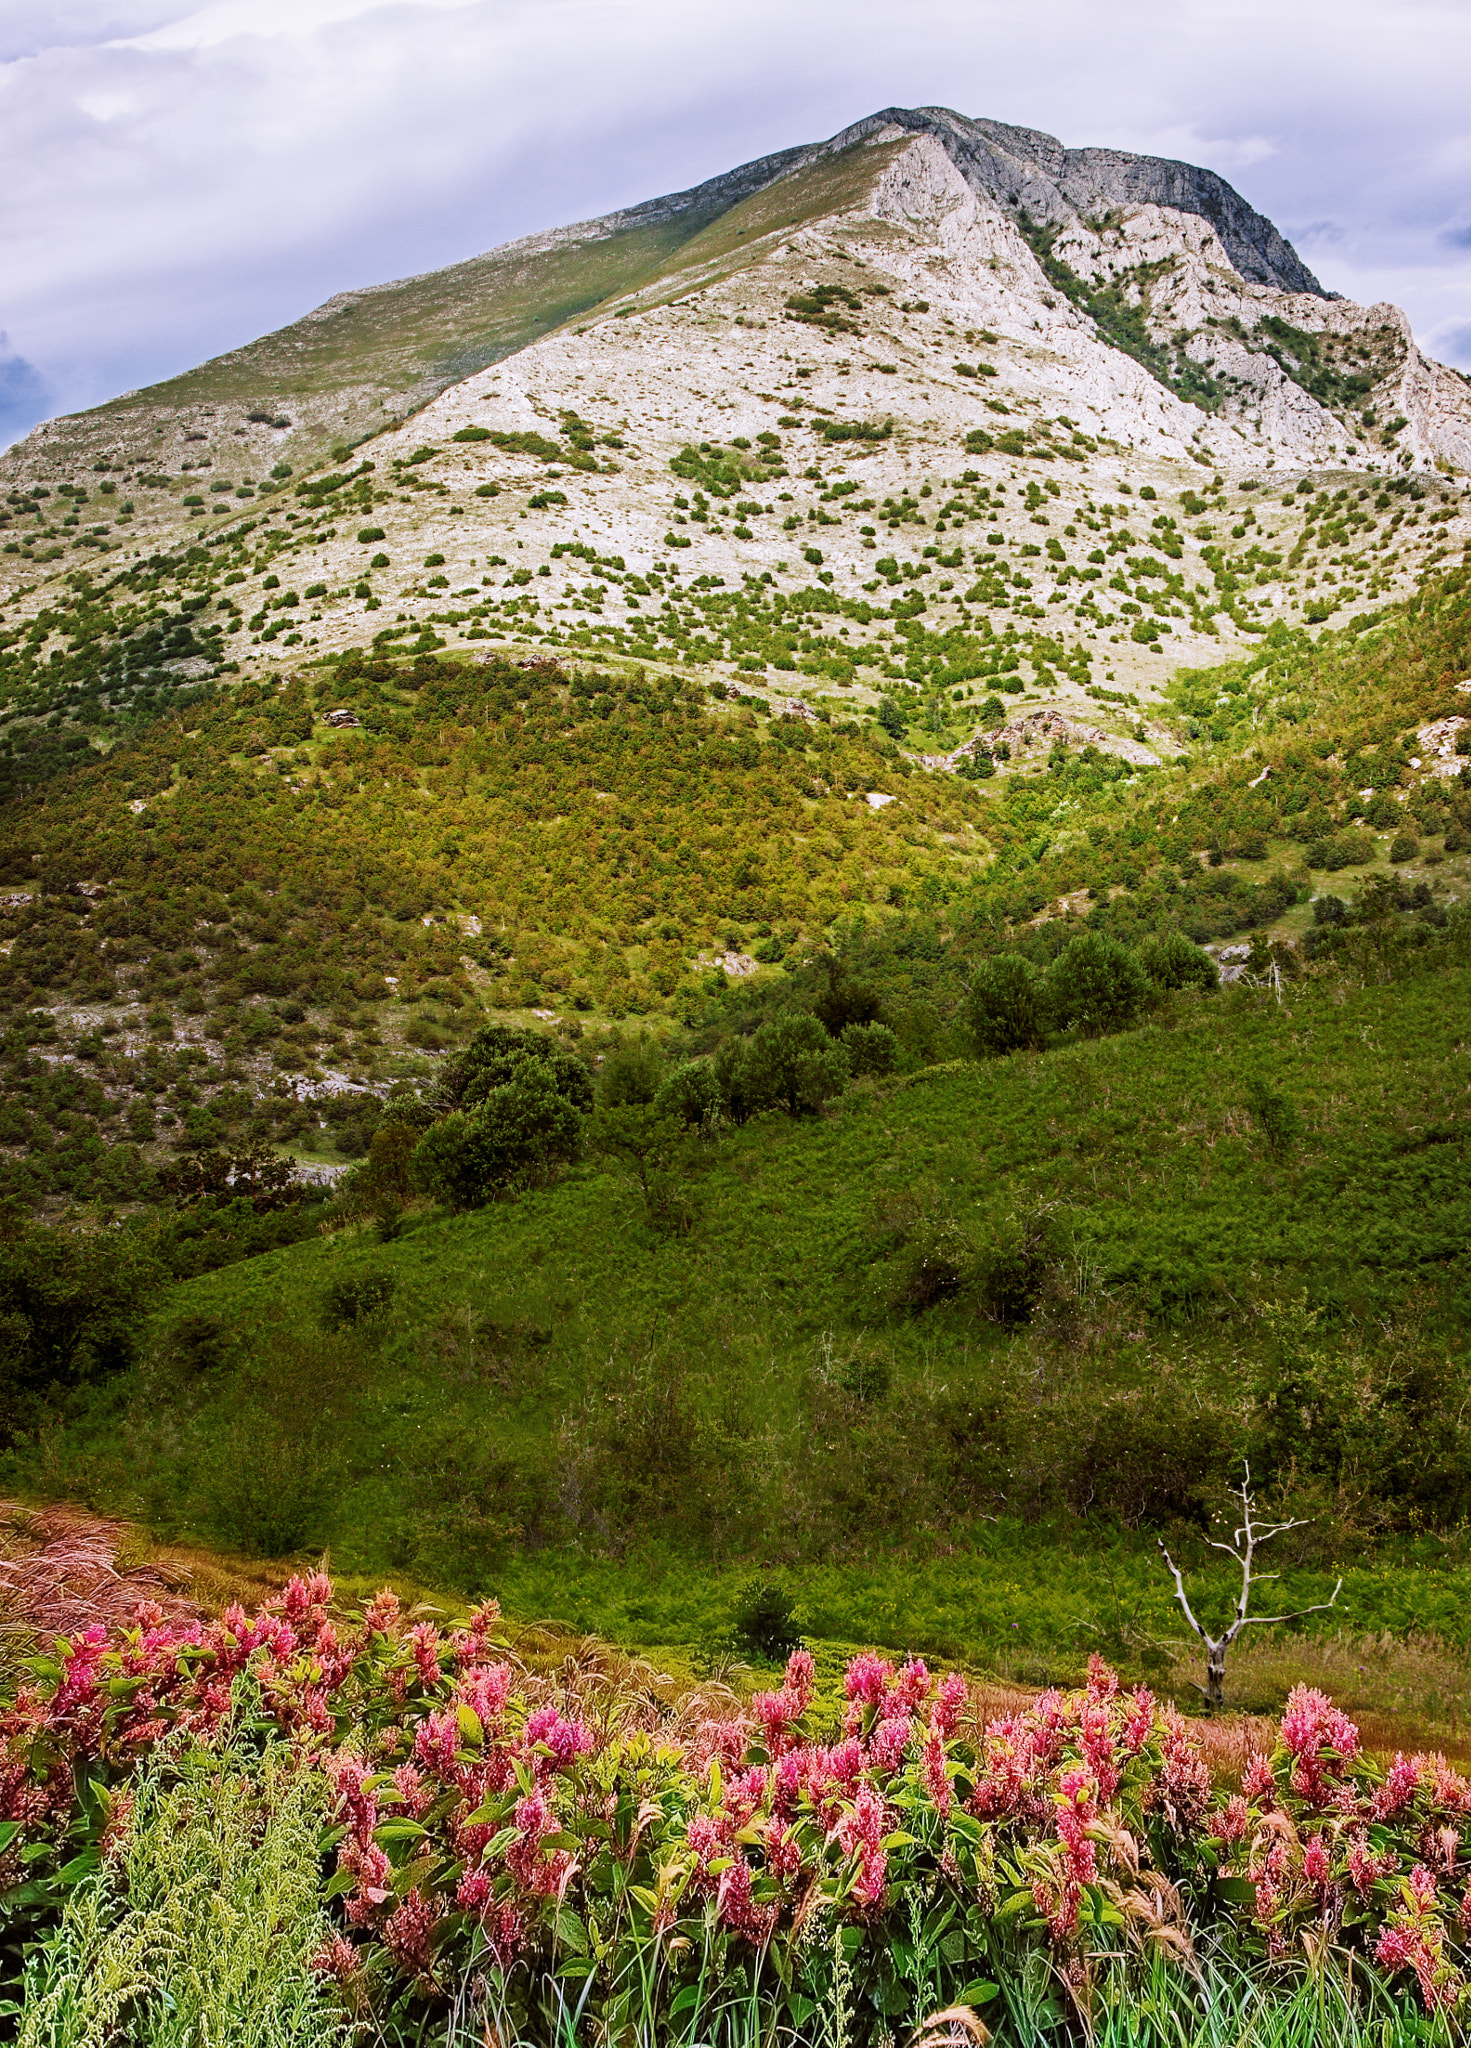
{"points": [[964, 1322]]}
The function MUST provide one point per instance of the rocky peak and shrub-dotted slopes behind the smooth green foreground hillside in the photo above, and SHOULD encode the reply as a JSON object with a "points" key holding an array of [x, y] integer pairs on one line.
{"points": [[911, 527]]}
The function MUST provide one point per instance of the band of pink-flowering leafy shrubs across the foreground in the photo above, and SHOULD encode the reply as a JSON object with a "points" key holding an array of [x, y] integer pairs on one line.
{"points": [[507, 1838]]}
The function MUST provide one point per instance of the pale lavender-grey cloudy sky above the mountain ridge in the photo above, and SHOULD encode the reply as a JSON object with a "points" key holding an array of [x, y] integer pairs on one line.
{"points": [[183, 177]]}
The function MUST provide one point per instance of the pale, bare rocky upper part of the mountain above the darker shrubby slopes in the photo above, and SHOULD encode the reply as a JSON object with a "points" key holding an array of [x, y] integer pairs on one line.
{"points": [[919, 300]]}
